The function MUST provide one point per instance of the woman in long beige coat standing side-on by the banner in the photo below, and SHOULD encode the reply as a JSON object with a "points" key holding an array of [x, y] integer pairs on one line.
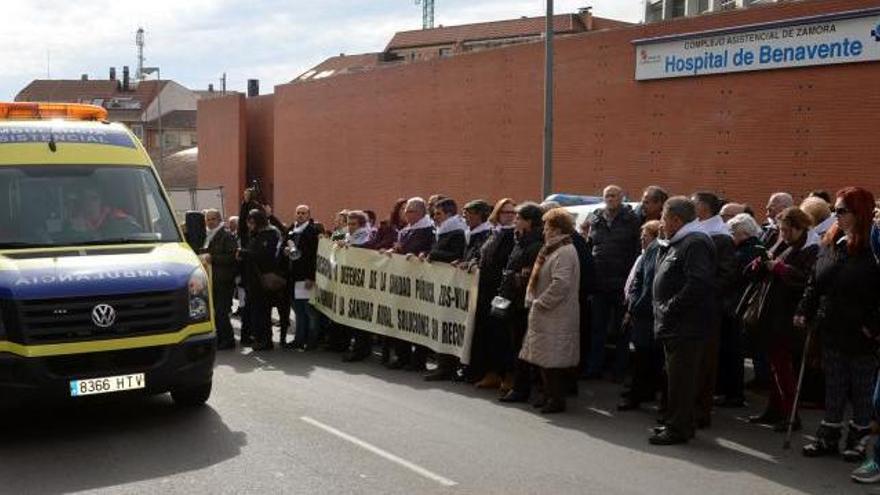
{"points": [[552, 342]]}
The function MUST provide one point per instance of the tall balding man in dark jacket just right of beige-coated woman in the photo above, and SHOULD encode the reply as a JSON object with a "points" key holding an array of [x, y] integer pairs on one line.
{"points": [[614, 239]]}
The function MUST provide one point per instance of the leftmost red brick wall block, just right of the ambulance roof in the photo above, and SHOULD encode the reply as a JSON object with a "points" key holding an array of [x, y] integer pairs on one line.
{"points": [[222, 140]]}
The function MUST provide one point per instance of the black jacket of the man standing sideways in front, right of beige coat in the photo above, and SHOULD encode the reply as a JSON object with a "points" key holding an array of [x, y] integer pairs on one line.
{"points": [[684, 288]]}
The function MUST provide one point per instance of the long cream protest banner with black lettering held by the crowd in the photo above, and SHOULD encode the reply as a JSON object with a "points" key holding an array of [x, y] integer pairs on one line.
{"points": [[430, 304]]}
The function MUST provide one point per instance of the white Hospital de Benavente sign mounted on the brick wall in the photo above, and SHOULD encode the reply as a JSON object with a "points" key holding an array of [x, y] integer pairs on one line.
{"points": [[833, 39]]}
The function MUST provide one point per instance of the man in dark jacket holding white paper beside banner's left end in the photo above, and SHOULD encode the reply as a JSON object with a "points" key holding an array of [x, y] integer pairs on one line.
{"points": [[302, 249]]}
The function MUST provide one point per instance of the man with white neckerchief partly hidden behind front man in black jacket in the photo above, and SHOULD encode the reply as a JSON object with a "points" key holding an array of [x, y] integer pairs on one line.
{"points": [[708, 208]]}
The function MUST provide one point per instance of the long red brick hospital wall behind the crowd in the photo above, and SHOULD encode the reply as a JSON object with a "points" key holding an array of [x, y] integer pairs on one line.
{"points": [[470, 125]]}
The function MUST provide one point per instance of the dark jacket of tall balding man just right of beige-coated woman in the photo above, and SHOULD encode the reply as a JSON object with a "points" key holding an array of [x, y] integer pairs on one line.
{"points": [[615, 247]]}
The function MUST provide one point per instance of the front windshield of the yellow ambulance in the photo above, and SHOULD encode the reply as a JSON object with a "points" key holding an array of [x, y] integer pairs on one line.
{"points": [[76, 205]]}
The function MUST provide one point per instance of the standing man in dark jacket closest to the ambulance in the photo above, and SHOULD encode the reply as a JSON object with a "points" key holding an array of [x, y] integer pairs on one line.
{"points": [[219, 253]]}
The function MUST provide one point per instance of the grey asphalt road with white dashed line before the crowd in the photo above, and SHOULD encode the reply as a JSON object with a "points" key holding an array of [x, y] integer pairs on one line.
{"points": [[288, 422]]}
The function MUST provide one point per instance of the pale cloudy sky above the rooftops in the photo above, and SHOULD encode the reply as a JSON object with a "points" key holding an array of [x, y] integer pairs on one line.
{"points": [[195, 41]]}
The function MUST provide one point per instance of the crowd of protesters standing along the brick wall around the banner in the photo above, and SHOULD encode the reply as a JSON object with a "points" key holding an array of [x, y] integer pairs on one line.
{"points": [[669, 298]]}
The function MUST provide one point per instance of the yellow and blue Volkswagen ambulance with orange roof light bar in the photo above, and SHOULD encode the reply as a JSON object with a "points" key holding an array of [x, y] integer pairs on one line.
{"points": [[98, 292]]}
